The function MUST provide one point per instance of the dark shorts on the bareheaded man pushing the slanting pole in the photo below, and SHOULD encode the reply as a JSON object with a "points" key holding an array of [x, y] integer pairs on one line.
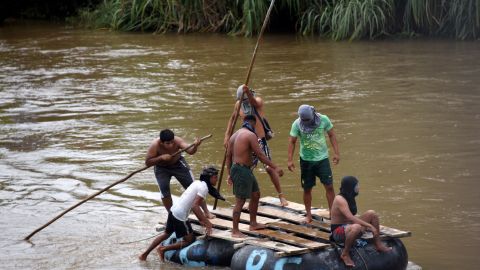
{"points": [[180, 170]]}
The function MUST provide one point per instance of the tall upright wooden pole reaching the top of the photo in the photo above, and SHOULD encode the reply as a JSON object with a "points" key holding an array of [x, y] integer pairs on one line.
{"points": [[249, 72]]}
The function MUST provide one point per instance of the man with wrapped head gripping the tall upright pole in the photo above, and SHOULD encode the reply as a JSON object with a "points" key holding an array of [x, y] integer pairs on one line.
{"points": [[252, 104]]}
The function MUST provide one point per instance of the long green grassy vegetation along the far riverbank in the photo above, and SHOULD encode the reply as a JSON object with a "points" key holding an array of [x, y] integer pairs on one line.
{"points": [[336, 19]]}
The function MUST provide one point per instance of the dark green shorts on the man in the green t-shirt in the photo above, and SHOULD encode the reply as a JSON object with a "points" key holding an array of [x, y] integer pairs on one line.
{"points": [[312, 169]]}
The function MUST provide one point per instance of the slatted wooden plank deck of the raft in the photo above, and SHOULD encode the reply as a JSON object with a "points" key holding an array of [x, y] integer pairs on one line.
{"points": [[285, 232]]}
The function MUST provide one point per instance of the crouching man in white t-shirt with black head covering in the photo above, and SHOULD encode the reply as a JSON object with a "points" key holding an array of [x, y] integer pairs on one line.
{"points": [[177, 221]]}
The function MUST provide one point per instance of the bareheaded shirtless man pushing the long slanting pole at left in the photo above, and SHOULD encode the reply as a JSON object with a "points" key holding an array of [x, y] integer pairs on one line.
{"points": [[160, 154]]}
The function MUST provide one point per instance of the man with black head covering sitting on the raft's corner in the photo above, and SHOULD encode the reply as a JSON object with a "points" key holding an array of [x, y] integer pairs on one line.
{"points": [[346, 227]]}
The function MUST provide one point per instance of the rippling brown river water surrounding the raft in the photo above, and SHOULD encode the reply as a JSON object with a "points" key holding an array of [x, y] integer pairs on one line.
{"points": [[78, 109]]}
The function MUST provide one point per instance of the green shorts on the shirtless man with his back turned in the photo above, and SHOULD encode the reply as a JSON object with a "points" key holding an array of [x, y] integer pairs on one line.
{"points": [[244, 182]]}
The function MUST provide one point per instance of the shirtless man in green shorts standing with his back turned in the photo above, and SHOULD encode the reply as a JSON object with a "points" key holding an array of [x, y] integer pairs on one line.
{"points": [[239, 161]]}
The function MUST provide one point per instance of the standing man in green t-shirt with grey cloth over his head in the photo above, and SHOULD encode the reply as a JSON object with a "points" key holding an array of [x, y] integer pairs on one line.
{"points": [[311, 127]]}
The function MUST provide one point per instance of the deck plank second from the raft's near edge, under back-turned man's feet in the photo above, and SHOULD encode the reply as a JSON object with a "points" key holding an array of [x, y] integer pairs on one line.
{"points": [[275, 235]]}
